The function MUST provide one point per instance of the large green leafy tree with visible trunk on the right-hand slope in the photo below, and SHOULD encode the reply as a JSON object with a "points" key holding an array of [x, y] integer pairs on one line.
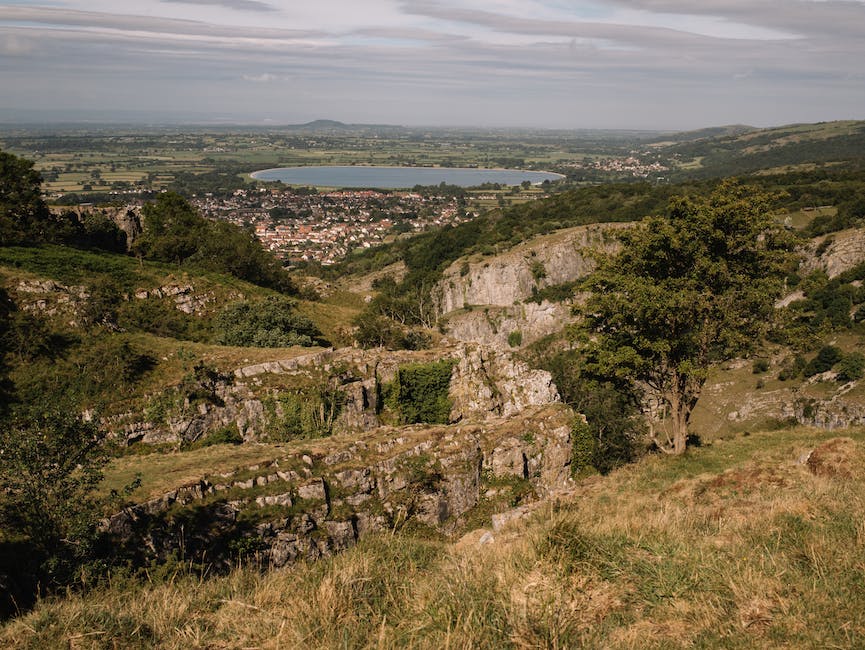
{"points": [[684, 291]]}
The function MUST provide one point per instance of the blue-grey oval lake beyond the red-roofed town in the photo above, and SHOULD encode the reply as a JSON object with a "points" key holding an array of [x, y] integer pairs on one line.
{"points": [[399, 177]]}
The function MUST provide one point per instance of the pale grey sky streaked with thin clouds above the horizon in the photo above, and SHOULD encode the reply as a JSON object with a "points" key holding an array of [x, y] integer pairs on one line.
{"points": [[631, 64]]}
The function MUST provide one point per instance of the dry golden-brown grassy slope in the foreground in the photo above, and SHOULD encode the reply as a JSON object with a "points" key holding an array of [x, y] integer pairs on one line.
{"points": [[753, 542]]}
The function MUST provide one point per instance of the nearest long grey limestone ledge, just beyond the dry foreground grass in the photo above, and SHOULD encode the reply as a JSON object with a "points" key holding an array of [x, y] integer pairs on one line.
{"points": [[309, 504]]}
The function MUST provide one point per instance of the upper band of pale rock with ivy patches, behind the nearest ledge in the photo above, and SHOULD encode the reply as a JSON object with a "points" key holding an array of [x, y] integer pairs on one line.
{"points": [[486, 382]]}
